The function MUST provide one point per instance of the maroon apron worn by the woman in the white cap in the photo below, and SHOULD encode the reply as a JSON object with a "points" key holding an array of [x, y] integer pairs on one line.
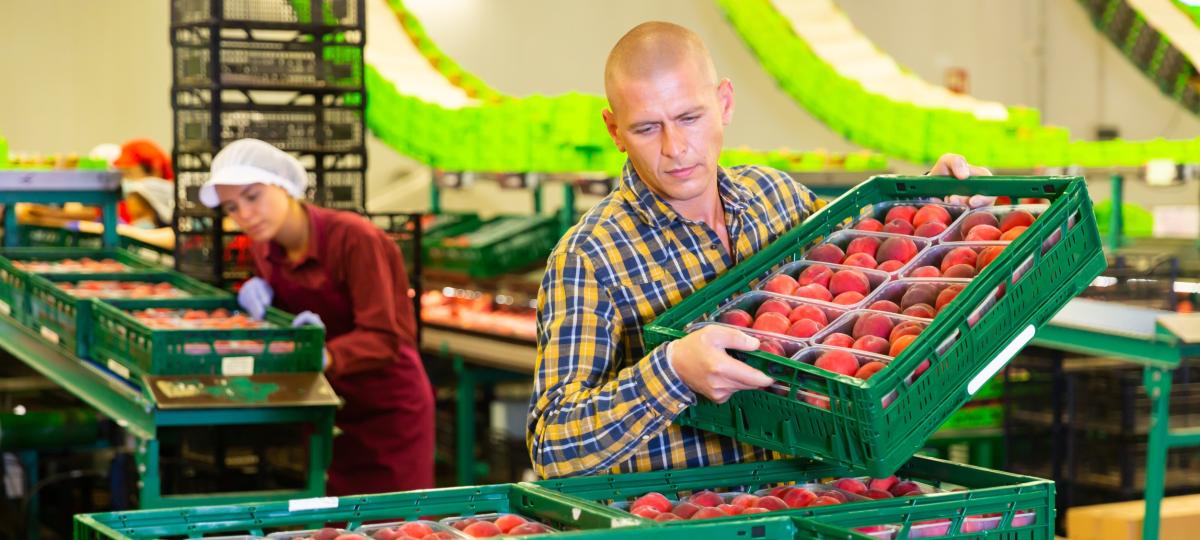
{"points": [[387, 419]]}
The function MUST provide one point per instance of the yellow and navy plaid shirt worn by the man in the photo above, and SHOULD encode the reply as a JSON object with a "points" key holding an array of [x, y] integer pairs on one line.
{"points": [[602, 403]]}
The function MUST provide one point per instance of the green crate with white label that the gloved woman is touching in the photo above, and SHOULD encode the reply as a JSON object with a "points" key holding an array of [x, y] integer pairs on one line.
{"points": [[131, 350]]}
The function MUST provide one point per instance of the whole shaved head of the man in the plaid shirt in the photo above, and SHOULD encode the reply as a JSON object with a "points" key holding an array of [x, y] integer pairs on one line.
{"points": [[668, 110]]}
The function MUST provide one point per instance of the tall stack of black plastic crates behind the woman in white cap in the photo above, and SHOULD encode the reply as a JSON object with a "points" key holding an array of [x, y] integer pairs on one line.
{"points": [[289, 73]]}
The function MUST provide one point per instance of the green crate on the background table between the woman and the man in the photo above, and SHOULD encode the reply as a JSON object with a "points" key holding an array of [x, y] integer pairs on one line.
{"points": [[499, 247]]}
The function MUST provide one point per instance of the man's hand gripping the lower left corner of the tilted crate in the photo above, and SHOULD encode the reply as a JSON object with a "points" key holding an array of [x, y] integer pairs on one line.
{"points": [[703, 364]]}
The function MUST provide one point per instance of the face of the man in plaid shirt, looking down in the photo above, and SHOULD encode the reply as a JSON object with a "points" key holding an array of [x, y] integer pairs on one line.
{"points": [[673, 127]]}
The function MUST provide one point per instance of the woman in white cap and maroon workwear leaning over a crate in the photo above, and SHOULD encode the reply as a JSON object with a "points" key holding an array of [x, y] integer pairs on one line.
{"points": [[338, 271]]}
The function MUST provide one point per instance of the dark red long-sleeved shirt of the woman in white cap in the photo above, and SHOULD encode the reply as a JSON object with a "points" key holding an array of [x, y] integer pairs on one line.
{"points": [[352, 259]]}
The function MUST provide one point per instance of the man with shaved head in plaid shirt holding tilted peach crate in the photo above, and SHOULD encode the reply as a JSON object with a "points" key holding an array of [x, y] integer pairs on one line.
{"points": [[603, 403]]}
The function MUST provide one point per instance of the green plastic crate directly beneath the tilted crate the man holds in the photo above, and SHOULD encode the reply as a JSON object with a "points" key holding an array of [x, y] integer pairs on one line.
{"points": [[986, 493]]}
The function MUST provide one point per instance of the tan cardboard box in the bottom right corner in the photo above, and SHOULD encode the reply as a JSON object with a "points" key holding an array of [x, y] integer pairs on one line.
{"points": [[1124, 521]]}
